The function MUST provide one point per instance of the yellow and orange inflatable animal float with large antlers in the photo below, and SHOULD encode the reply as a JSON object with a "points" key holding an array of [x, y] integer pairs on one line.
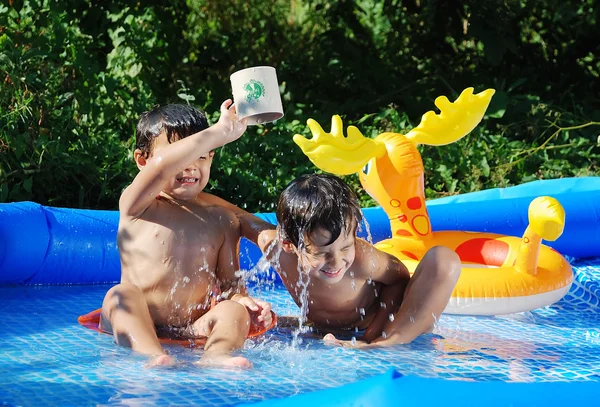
{"points": [[501, 274]]}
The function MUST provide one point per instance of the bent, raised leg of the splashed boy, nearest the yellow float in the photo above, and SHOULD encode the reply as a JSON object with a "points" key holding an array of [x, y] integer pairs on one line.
{"points": [[426, 296]]}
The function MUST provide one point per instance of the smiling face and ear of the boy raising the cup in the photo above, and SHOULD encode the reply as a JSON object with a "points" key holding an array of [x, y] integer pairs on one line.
{"points": [[192, 180]]}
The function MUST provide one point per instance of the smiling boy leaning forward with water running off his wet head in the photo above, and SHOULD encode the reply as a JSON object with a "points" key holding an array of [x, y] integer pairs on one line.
{"points": [[348, 284]]}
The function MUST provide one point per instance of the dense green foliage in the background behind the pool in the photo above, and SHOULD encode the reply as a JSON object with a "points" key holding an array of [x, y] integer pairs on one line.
{"points": [[77, 74]]}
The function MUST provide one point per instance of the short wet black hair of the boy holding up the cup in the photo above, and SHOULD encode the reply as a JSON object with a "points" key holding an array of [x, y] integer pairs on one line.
{"points": [[176, 120]]}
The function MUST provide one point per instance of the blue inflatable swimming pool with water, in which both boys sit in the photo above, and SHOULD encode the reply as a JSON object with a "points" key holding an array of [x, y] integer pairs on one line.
{"points": [[50, 257]]}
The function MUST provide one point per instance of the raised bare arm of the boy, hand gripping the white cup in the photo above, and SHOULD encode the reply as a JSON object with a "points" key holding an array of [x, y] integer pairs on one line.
{"points": [[174, 158]]}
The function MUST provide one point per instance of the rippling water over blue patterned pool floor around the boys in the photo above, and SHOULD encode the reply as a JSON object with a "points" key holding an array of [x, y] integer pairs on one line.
{"points": [[48, 359]]}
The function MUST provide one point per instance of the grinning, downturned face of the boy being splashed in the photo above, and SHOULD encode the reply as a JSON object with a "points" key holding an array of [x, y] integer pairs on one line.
{"points": [[327, 261]]}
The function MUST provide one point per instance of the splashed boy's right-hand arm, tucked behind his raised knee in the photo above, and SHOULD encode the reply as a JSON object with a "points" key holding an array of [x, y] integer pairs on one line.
{"points": [[394, 277]]}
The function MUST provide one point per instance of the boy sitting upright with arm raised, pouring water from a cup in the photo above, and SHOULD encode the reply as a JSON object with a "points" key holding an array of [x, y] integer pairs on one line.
{"points": [[178, 251]]}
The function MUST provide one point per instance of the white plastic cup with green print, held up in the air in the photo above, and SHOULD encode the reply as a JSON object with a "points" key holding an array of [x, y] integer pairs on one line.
{"points": [[256, 94]]}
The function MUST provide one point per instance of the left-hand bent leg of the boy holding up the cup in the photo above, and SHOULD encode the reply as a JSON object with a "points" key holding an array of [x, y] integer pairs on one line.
{"points": [[125, 314]]}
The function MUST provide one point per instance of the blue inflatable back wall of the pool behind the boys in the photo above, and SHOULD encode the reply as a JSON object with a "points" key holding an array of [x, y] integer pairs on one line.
{"points": [[49, 245]]}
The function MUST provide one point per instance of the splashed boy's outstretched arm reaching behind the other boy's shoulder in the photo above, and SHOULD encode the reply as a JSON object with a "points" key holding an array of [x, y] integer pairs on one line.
{"points": [[253, 228]]}
